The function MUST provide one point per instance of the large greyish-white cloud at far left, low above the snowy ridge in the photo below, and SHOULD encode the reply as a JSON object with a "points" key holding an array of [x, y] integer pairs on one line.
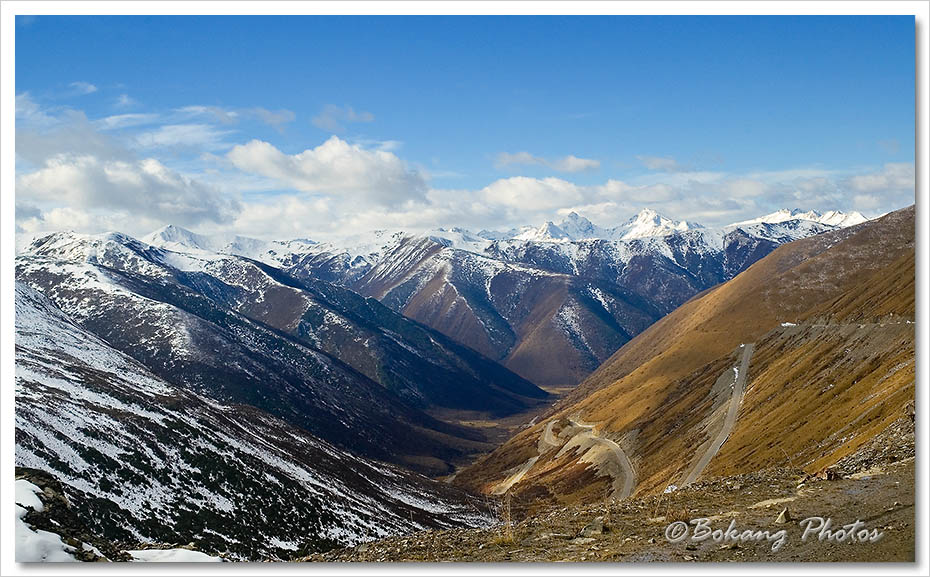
{"points": [[143, 189]]}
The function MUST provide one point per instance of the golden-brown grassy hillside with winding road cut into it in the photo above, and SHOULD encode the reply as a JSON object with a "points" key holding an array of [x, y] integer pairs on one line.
{"points": [[827, 324]]}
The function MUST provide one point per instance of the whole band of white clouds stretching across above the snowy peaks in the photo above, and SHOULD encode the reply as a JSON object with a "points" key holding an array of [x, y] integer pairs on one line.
{"points": [[73, 173]]}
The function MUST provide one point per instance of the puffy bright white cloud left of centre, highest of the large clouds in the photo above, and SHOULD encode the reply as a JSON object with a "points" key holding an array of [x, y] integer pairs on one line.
{"points": [[334, 167]]}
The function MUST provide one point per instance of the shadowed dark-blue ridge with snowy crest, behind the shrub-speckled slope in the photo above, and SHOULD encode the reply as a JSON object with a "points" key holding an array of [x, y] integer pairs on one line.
{"points": [[343, 367]]}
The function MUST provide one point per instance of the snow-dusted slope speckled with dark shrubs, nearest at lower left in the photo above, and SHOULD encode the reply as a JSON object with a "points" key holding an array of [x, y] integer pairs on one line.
{"points": [[146, 461]]}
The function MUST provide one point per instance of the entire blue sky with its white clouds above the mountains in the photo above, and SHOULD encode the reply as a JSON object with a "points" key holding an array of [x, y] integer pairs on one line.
{"points": [[328, 123]]}
